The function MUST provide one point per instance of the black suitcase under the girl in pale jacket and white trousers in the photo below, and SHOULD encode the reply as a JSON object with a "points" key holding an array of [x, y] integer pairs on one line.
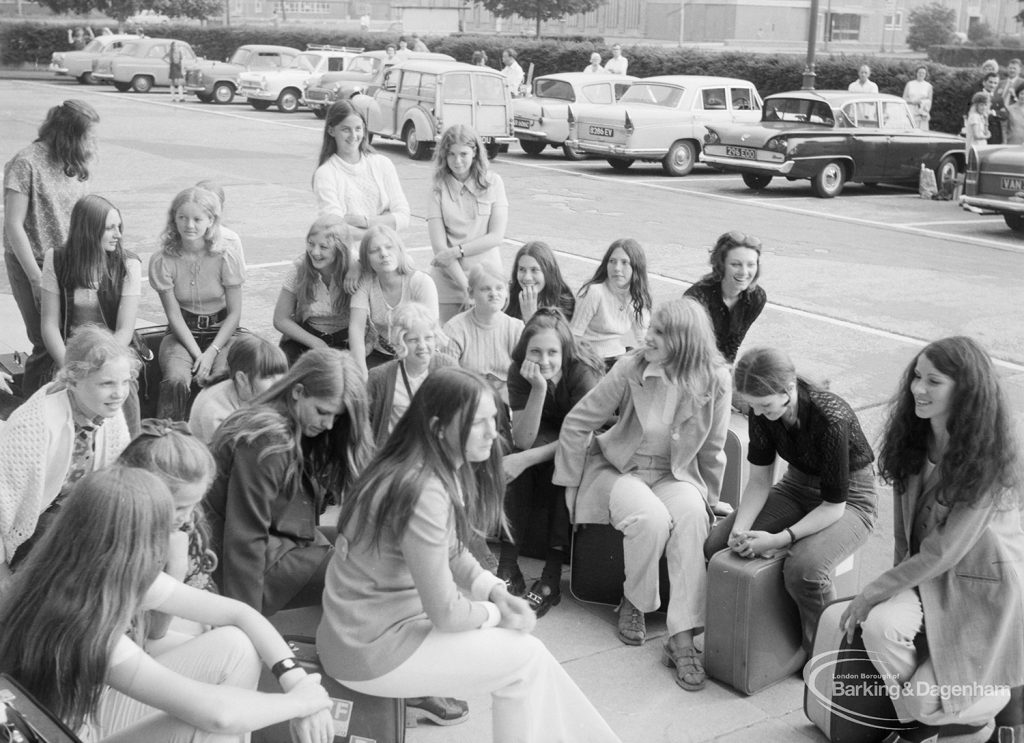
{"points": [[598, 569]]}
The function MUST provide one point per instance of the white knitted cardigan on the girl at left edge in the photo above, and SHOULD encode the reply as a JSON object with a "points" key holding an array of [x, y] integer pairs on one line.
{"points": [[35, 456]]}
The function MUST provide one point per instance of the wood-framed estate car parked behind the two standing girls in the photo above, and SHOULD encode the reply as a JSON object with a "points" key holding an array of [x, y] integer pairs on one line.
{"points": [[418, 100]]}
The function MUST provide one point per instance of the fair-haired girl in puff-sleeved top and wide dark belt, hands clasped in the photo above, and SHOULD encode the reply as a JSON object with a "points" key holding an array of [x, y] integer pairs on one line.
{"points": [[199, 279]]}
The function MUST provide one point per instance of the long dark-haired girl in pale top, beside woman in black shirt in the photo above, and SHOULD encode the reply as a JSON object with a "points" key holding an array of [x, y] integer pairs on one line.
{"points": [[614, 309]]}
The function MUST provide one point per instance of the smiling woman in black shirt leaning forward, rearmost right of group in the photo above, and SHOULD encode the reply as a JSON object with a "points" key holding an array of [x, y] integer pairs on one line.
{"points": [[731, 293]]}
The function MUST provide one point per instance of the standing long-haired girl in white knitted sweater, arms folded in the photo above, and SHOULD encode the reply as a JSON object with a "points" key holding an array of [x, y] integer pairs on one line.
{"points": [[354, 182]]}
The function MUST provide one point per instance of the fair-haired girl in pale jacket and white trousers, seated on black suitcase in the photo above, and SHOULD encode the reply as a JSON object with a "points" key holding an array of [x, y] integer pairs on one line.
{"points": [[652, 473]]}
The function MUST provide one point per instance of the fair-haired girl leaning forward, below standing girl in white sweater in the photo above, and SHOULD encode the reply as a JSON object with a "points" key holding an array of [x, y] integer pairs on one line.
{"points": [[313, 307]]}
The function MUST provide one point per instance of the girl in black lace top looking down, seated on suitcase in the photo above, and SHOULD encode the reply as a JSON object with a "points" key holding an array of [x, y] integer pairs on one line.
{"points": [[824, 508]]}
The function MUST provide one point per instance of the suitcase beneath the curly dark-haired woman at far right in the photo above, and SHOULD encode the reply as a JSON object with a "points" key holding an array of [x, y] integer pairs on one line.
{"points": [[844, 695]]}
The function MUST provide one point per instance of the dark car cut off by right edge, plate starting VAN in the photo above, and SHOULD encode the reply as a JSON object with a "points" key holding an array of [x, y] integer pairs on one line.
{"points": [[995, 183]]}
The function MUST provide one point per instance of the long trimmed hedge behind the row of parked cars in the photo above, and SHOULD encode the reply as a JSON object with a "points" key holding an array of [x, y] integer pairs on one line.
{"points": [[23, 43]]}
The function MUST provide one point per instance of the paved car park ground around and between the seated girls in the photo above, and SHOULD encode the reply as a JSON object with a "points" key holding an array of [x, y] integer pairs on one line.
{"points": [[856, 286]]}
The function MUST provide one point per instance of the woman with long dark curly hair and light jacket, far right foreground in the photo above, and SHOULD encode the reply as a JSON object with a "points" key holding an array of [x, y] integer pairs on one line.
{"points": [[951, 454]]}
